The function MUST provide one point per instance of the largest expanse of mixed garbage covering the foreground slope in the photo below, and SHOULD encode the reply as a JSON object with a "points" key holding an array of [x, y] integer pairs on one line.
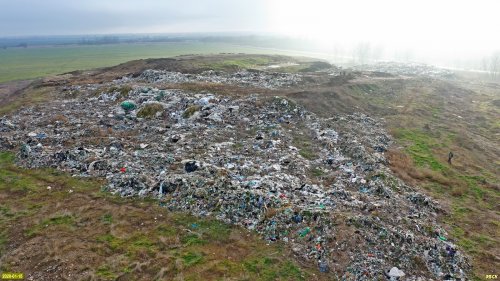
{"points": [[319, 185]]}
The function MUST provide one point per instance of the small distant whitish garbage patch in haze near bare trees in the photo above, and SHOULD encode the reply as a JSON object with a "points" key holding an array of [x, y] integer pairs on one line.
{"points": [[407, 69]]}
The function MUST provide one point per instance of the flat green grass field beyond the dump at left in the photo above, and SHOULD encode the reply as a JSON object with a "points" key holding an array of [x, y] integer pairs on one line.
{"points": [[34, 62]]}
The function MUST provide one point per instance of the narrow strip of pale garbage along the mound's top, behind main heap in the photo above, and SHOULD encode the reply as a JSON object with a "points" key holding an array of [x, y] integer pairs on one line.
{"points": [[254, 78]]}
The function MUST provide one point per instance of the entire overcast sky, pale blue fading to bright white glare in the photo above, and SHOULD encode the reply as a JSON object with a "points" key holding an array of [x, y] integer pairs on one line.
{"points": [[466, 26]]}
